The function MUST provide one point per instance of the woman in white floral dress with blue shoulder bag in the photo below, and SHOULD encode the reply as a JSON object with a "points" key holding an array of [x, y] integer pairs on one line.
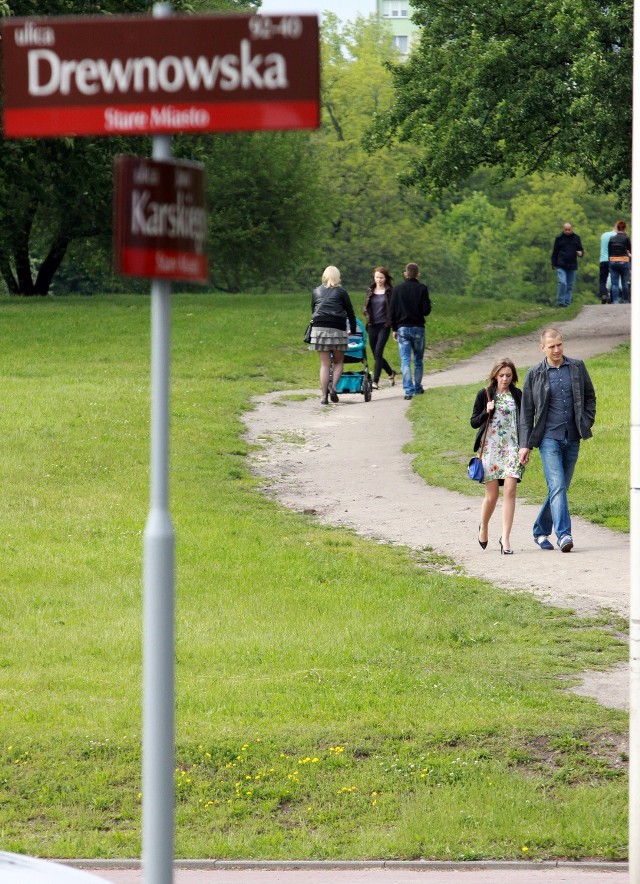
{"points": [[499, 403]]}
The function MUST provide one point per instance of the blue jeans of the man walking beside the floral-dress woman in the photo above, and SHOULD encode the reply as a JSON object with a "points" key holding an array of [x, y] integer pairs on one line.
{"points": [[559, 458]]}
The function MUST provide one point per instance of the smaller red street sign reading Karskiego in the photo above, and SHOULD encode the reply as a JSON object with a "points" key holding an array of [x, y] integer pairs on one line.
{"points": [[160, 224]]}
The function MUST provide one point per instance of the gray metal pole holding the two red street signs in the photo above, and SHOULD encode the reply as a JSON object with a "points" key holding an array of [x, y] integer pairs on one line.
{"points": [[158, 733]]}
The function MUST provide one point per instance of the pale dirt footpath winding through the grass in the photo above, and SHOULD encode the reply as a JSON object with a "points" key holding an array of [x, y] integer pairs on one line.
{"points": [[353, 451]]}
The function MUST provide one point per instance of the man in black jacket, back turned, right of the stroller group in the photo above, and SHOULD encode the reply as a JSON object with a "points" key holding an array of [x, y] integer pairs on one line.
{"points": [[409, 305]]}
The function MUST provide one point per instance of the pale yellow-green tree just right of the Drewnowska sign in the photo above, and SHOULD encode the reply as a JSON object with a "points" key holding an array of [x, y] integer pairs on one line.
{"points": [[371, 218]]}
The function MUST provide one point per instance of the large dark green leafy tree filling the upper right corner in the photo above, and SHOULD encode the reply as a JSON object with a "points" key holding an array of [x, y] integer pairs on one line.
{"points": [[519, 85]]}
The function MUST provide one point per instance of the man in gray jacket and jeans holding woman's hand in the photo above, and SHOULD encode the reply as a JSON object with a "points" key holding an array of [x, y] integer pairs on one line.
{"points": [[558, 410]]}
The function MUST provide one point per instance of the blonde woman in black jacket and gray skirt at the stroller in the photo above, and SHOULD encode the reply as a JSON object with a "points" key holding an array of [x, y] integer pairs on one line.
{"points": [[331, 309]]}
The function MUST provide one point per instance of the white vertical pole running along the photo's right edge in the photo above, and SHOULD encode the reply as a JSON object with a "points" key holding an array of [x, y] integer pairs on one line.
{"points": [[634, 583]]}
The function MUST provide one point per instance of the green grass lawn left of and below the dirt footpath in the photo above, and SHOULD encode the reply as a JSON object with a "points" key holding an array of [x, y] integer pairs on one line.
{"points": [[335, 697]]}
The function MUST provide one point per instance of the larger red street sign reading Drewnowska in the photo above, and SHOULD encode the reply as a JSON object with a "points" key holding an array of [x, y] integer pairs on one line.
{"points": [[134, 75]]}
